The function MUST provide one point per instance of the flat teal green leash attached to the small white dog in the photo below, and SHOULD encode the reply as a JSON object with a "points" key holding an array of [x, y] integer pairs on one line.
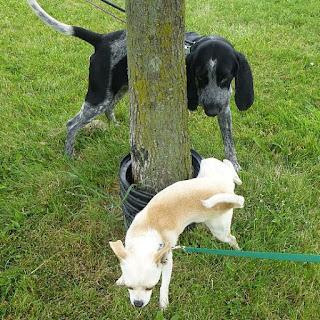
{"points": [[257, 255]]}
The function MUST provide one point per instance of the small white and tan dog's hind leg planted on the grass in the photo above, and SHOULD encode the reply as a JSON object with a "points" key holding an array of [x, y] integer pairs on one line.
{"points": [[220, 228]]}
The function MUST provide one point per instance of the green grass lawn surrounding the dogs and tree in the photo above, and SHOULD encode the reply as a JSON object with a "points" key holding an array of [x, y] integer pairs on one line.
{"points": [[57, 215]]}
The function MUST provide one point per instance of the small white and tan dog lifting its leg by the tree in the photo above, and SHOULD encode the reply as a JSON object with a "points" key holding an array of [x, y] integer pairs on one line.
{"points": [[209, 198]]}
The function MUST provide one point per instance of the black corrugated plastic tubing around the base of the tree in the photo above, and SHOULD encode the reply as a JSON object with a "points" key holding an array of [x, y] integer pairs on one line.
{"points": [[133, 199]]}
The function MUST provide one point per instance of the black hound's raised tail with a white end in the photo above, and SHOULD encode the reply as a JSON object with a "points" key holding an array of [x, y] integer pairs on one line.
{"points": [[89, 36]]}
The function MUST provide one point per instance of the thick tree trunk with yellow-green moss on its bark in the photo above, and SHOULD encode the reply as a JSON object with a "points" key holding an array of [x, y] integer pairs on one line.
{"points": [[160, 147]]}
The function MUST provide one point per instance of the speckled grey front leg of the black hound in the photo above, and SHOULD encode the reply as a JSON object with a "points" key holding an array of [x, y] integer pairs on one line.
{"points": [[225, 123]]}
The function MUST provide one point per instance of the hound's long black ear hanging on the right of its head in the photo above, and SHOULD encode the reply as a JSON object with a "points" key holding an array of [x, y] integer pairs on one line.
{"points": [[244, 95]]}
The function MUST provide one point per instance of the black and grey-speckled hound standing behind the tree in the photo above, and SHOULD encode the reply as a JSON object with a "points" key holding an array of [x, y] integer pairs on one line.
{"points": [[211, 64]]}
